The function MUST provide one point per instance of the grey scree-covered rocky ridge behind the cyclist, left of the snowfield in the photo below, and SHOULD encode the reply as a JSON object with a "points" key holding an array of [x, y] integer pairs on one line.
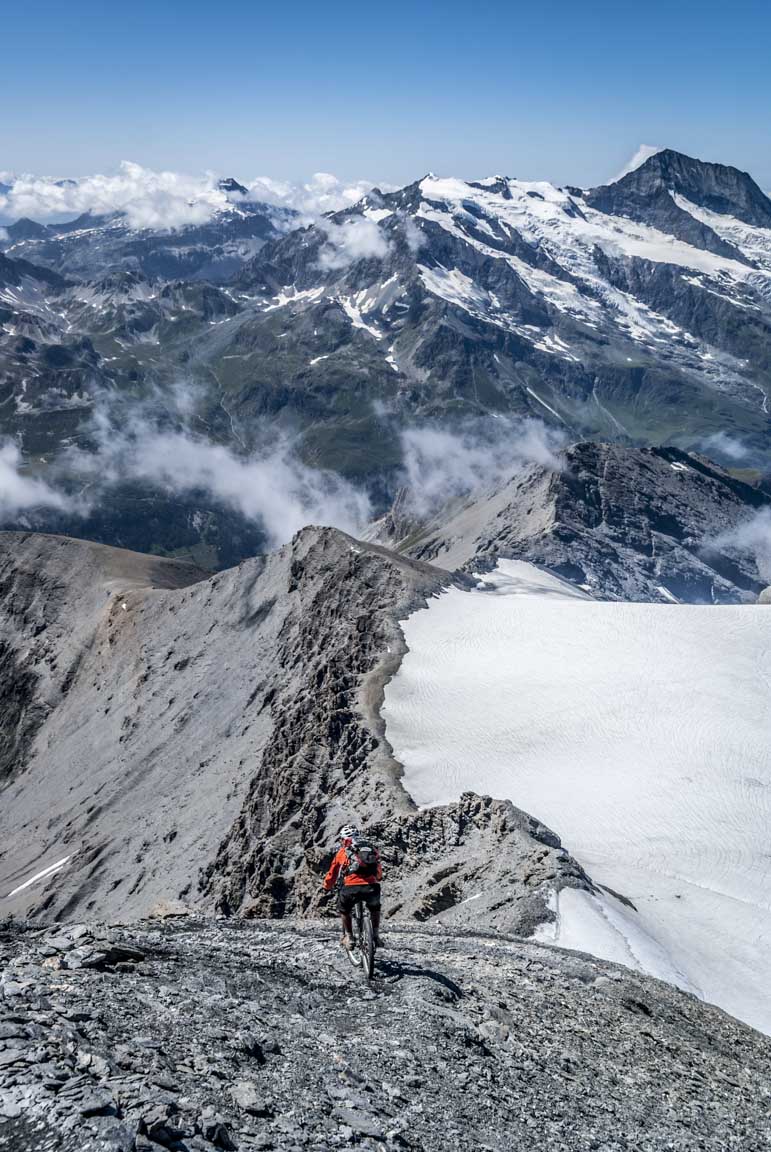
{"points": [[230, 725]]}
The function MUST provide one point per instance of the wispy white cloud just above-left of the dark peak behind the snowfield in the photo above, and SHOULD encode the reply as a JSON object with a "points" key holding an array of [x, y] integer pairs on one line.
{"points": [[442, 465]]}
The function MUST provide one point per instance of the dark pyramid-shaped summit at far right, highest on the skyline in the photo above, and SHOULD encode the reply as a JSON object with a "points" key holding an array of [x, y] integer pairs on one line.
{"points": [[716, 187]]}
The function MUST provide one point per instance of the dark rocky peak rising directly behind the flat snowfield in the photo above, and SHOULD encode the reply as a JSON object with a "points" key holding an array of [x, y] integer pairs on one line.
{"points": [[628, 524]]}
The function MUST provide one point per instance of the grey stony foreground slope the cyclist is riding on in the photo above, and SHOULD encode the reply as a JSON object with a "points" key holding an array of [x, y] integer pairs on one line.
{"points": [[198, 1035]]}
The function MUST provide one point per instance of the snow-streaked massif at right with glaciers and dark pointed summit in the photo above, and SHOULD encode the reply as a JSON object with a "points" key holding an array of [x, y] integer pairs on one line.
{"points": [[596, 312]]}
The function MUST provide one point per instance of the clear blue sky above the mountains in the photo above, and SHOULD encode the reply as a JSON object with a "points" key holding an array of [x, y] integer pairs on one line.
{"points": [[564, 92]]}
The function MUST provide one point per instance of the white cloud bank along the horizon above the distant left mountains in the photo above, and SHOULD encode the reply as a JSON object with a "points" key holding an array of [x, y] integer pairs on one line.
{"points": [[167, 200]]}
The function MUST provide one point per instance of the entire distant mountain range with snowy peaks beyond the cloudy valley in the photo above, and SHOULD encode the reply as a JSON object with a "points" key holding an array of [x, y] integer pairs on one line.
{"points": [[639, 313]]}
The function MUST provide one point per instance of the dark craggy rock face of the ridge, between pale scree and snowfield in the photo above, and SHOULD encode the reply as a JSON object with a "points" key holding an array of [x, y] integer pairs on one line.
{"points": [[327, 760]]}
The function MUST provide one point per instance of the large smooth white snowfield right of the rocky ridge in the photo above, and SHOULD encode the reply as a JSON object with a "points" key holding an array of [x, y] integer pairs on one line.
{"points": [[641, 734]]}
